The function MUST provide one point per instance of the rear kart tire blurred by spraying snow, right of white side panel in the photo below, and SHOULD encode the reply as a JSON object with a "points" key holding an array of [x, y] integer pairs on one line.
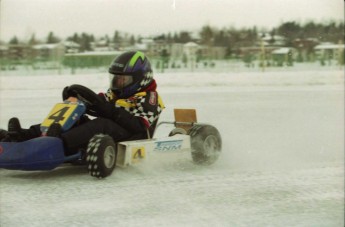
{"points": [[206, 144]]}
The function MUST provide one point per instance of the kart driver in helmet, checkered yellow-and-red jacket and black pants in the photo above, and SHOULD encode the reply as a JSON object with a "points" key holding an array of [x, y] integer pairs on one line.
{"points": [[130, 110]]}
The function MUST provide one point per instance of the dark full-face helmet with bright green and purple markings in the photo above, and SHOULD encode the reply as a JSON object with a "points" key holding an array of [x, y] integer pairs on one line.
{"points": [[130, 72]]}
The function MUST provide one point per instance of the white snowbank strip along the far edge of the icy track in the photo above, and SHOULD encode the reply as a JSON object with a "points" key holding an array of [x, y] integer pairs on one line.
{"points": [[99, 81]]}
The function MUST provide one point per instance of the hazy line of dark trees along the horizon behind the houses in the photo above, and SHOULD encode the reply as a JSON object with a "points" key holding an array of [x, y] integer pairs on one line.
{"points": [[231, 37]]}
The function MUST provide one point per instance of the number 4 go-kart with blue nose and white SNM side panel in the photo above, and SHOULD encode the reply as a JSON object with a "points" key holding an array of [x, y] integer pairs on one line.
{"points": [[102, 154]]}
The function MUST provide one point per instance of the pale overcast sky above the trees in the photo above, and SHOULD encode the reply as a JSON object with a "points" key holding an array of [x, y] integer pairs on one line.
{"points": [[22, 18]]}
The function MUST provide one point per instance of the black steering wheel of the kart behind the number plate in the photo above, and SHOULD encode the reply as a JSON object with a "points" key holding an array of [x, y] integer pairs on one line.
{"points": [[86, 95]]}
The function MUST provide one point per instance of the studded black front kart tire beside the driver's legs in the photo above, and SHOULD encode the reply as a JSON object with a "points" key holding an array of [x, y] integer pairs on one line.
{"points": [[101, 156]]}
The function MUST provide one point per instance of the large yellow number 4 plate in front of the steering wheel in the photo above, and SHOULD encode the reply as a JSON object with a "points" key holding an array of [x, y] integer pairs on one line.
{"points": [[59, 114]]}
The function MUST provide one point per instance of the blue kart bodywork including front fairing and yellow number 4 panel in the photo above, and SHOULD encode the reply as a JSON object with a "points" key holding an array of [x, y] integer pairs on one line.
{"points": [[43, 153]]}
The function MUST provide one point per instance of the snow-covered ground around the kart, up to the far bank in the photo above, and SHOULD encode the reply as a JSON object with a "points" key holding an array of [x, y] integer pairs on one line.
{"points": [[282, 162]]}
